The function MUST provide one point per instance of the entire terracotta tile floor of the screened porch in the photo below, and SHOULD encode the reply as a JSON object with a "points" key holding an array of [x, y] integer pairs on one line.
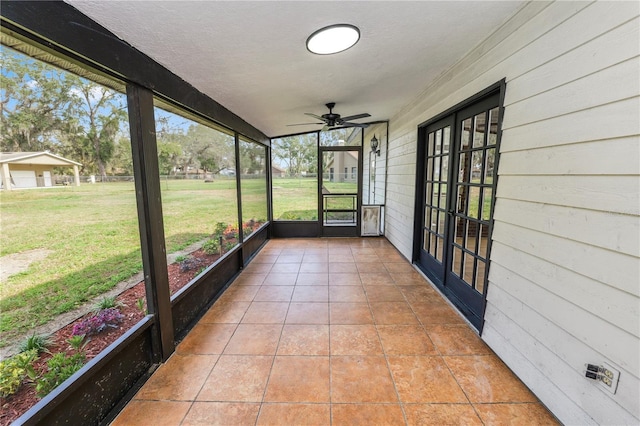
{"points": [[332, 332]]}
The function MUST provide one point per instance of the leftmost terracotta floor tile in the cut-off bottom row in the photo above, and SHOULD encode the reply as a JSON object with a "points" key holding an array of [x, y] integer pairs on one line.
{"points": [[161, 413]]}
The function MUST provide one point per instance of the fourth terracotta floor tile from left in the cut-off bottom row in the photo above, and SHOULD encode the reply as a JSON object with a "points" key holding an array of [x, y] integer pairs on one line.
{"points": [[367, 414]]}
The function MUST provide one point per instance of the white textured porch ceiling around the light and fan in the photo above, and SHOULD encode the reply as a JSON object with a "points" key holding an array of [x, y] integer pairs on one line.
{"points": [[251, 56]]}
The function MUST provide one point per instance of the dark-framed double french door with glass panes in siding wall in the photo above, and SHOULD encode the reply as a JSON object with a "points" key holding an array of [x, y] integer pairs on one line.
{"points": [[456, 183]]}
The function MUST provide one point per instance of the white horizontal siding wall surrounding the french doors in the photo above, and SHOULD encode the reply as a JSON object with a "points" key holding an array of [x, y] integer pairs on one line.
{"points": [[565, 265]]}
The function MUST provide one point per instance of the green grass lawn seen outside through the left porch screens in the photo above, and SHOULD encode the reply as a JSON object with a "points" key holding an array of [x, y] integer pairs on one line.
{"points": [[92, 233]]}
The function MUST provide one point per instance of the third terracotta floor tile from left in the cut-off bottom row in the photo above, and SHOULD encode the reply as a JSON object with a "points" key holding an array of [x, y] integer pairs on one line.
{"points": [[274, 414]]}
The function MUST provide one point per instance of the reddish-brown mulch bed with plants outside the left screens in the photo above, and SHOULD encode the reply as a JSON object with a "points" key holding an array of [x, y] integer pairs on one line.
{"points": [[17, 404]]}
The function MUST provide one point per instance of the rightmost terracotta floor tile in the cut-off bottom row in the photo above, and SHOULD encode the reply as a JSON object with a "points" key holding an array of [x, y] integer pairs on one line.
{"points": [[532, 414]]}
